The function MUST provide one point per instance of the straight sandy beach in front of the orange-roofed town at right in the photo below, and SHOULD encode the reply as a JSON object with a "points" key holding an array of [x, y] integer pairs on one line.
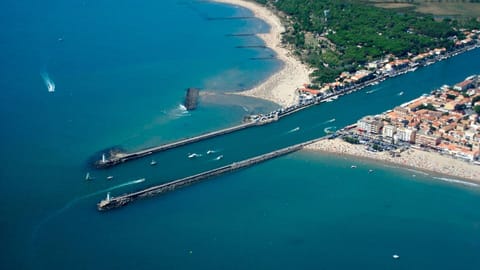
{"points": [[412, 158]]}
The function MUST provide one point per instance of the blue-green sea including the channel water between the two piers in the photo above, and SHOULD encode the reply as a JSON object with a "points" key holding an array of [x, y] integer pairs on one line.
{"points": [[79, 77]]}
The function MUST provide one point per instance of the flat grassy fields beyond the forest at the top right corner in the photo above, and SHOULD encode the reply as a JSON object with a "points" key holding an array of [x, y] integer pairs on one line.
{"points": [[439, 7]]}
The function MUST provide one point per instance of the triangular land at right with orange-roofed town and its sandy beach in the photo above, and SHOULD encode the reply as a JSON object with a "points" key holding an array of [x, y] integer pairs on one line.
{"points": [[437, 133]]}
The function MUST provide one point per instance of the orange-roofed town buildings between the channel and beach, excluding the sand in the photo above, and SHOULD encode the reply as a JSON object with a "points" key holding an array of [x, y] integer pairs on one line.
{"points": [[445, 121]]}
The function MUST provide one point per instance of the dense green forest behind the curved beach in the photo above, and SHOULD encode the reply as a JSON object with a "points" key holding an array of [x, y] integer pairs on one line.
{"points": [[342, 35]]}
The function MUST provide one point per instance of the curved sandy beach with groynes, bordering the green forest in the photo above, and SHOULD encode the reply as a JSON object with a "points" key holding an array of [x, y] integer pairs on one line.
{"points": [[280, 87]]}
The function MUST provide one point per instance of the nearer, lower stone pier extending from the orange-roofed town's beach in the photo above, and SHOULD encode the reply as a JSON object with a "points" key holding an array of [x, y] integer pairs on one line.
{"points": [[115, 202]]}
